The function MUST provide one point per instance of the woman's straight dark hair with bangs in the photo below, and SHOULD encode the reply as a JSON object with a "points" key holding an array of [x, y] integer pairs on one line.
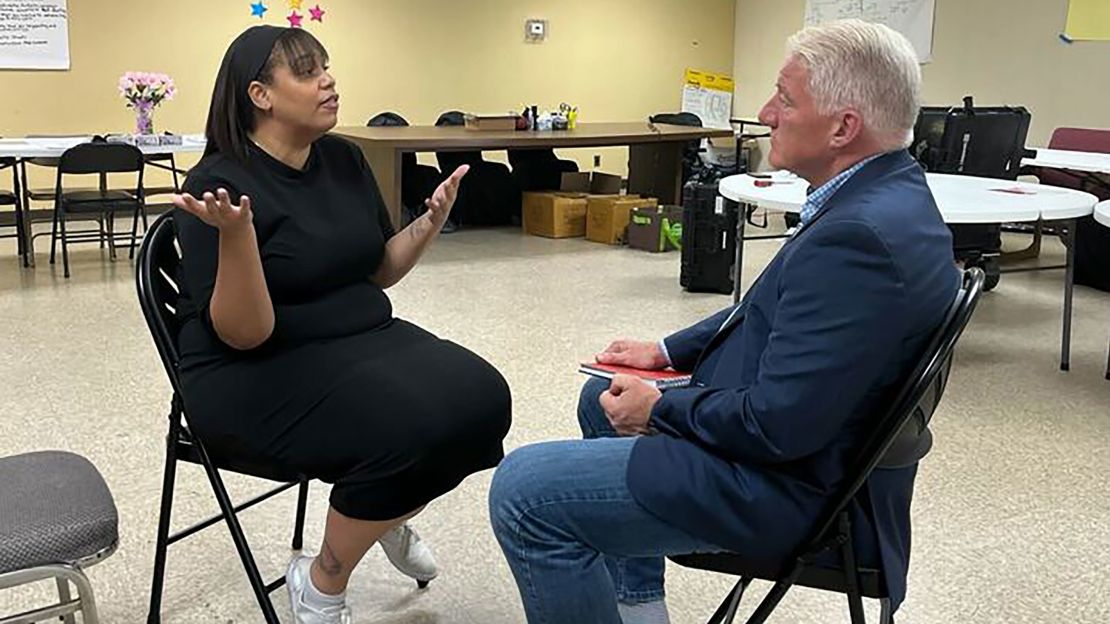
{"points": [[231, 114]]}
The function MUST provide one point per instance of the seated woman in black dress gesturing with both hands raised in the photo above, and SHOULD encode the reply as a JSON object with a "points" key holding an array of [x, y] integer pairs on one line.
{"points": [[290, 351]]}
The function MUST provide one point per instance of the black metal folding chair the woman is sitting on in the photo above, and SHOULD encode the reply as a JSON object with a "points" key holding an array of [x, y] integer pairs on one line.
{"points": [[158, 270]]}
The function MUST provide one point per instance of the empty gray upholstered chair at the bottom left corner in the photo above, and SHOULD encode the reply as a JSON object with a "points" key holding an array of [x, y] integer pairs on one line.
{"points": [[57, 518]]}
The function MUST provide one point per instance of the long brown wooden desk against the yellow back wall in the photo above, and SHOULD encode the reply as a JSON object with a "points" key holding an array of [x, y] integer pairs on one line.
{"points": [[655, 158]]}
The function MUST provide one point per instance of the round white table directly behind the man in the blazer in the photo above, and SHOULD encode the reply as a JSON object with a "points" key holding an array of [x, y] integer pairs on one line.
{"points": [[962, 199]]}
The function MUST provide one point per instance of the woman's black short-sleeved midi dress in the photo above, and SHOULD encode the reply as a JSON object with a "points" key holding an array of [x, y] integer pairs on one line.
{"points": [[342, 391]]}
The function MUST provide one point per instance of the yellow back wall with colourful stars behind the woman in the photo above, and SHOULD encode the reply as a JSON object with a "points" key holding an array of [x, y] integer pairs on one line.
{"points": [[618, 61]]}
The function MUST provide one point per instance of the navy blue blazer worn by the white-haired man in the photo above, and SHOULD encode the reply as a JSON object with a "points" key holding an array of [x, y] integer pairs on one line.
{"points": [[748, 457]]}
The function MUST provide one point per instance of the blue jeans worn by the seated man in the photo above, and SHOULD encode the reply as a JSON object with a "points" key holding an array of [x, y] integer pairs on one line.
{"points": [[577, 540]]}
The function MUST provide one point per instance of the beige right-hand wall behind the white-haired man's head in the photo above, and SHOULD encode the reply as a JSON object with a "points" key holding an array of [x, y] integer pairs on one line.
{"points": [[1000, 52]]}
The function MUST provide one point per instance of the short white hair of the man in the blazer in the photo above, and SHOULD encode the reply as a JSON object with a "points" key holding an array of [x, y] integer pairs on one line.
{"points": [[867, 67]]}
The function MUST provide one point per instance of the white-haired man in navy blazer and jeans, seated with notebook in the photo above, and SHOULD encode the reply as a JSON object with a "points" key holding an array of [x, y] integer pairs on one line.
{"points": [[786, 384]]}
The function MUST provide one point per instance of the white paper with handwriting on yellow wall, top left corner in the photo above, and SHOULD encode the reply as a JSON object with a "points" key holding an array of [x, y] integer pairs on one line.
{"points": [[34, 35]]}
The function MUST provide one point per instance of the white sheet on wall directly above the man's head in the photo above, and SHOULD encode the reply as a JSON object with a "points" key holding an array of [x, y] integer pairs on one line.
{"points": [[912, 18]]}
